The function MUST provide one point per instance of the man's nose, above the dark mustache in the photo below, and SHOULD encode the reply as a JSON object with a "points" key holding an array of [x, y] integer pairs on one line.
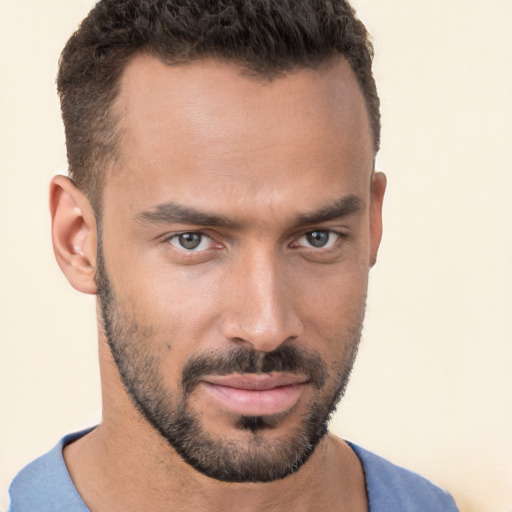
{"points": [[259, 311]]}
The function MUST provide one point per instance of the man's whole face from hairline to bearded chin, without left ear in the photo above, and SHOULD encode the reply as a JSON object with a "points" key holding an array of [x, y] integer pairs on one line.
{"points": [[237, 235]]}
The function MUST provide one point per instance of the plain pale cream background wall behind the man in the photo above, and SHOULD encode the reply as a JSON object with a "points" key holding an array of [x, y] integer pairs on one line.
{"points": [[432, 388]]}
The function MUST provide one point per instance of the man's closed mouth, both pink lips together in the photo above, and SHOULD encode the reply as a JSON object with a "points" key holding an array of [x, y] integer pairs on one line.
{"points": [[255, 394]]}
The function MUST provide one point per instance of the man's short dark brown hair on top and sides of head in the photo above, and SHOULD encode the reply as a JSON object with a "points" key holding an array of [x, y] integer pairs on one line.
{"points": [[267, 37]]}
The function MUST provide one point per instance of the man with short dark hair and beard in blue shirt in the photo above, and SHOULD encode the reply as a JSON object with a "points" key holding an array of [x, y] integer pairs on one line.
{"points": [[224, 207]]}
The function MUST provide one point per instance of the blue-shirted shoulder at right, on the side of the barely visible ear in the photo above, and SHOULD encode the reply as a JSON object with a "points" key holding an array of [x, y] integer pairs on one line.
{"points": [[391, 488]]}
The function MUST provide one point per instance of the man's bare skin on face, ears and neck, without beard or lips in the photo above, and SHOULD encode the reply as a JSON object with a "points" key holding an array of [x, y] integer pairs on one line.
{"points": [[262, 154]]}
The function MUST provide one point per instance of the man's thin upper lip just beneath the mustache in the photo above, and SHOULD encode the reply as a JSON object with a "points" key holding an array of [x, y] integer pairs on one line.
{"points": [[256, 382]]}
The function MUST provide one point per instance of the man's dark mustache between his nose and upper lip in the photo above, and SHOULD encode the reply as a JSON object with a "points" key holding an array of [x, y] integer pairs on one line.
{"points": [[284, 359]]}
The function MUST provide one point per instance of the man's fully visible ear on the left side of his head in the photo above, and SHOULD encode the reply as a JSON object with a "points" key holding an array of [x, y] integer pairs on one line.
{"points": [[74, 234]]}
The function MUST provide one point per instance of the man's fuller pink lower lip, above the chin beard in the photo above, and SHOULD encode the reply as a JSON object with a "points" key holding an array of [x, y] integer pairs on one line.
{"points": [[251, 402]]}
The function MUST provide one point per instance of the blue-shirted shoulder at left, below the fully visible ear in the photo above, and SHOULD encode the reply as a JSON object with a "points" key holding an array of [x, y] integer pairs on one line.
{"points": [[45, 484]]}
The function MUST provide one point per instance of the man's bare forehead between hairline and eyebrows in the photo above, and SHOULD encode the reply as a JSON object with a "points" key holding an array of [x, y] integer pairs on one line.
{"points": [[206, 126]]}
